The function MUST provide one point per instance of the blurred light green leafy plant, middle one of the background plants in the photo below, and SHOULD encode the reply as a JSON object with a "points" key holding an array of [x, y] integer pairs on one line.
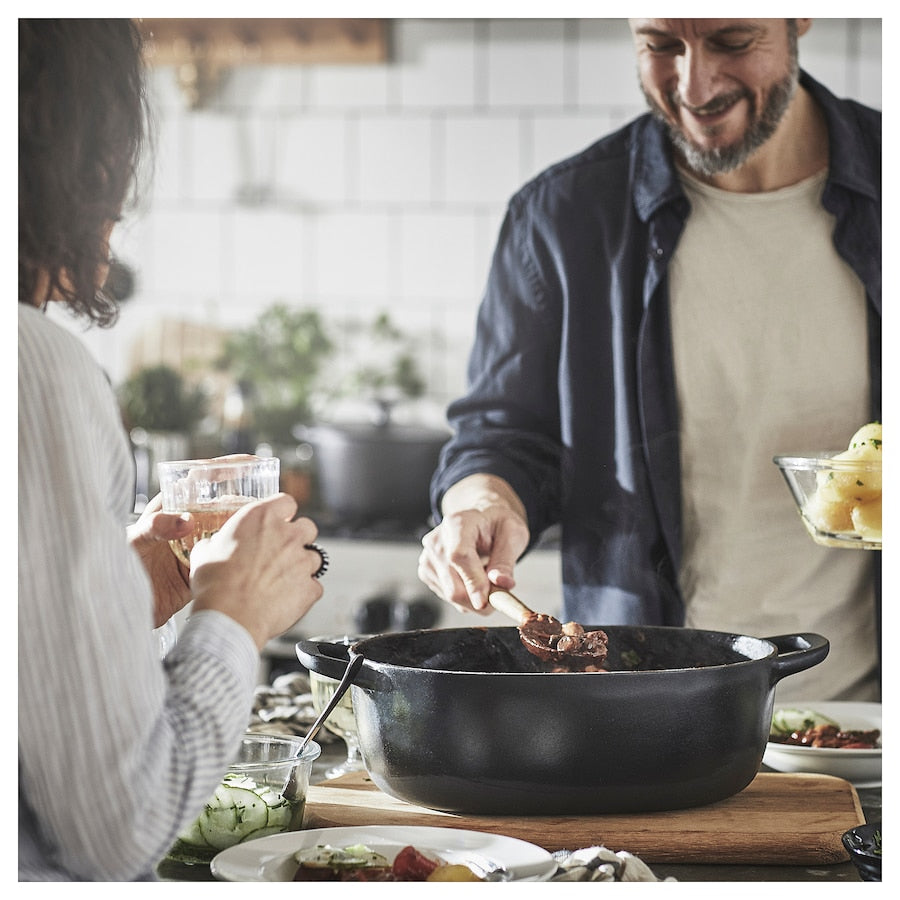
{"points": [[277, 363]]}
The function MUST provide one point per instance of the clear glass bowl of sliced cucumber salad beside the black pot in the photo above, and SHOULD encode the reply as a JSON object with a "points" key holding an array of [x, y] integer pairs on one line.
{"points": [[262, 793]]}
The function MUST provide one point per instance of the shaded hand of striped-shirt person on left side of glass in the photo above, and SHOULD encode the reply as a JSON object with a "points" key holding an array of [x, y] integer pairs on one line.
{"points": [[150, 537]]}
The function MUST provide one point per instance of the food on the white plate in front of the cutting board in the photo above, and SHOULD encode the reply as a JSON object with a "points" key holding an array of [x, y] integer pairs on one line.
{"points": [[360, 863]]}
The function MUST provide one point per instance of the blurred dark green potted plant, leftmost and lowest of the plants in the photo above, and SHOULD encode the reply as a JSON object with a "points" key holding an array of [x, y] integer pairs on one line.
{"points": [[157, 398]]}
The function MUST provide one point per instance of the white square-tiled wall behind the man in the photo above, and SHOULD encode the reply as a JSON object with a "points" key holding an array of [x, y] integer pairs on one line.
{"points": [[362, 188]]}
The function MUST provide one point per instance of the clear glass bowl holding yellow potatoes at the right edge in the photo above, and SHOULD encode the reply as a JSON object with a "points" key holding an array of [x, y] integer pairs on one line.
{"points": [[839, 500]]}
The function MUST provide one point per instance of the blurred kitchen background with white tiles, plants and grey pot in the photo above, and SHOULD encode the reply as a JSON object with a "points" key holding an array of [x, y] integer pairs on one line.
{"points": [[310, 255]]}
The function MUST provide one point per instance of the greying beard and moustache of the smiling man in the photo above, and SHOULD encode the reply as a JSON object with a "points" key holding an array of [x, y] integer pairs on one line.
{"points": [[720, 160]]}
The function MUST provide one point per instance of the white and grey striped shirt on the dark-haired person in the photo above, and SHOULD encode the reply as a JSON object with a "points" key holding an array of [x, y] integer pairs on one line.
{"points": [[117, 750]]}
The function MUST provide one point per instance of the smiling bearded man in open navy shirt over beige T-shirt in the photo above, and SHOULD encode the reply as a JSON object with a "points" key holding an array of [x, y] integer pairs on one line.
{"points": [[665, 312]]}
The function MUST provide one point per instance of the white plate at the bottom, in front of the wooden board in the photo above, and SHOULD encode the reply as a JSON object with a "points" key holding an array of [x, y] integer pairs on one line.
{"points": [[272, 858]]}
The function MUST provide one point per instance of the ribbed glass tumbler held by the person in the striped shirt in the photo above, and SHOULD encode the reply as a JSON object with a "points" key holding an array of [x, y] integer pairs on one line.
{"points": [[213, 490]]}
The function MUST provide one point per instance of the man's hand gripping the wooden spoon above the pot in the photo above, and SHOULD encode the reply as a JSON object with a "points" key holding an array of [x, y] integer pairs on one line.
{"points": [[481, 537]]}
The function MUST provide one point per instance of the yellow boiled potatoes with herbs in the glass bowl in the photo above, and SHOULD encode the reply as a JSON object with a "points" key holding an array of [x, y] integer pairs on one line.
{"points": [[848, 496]]}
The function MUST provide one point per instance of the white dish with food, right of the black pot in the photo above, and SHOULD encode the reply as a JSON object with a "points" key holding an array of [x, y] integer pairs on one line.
{"points": [[862, 768]]}
